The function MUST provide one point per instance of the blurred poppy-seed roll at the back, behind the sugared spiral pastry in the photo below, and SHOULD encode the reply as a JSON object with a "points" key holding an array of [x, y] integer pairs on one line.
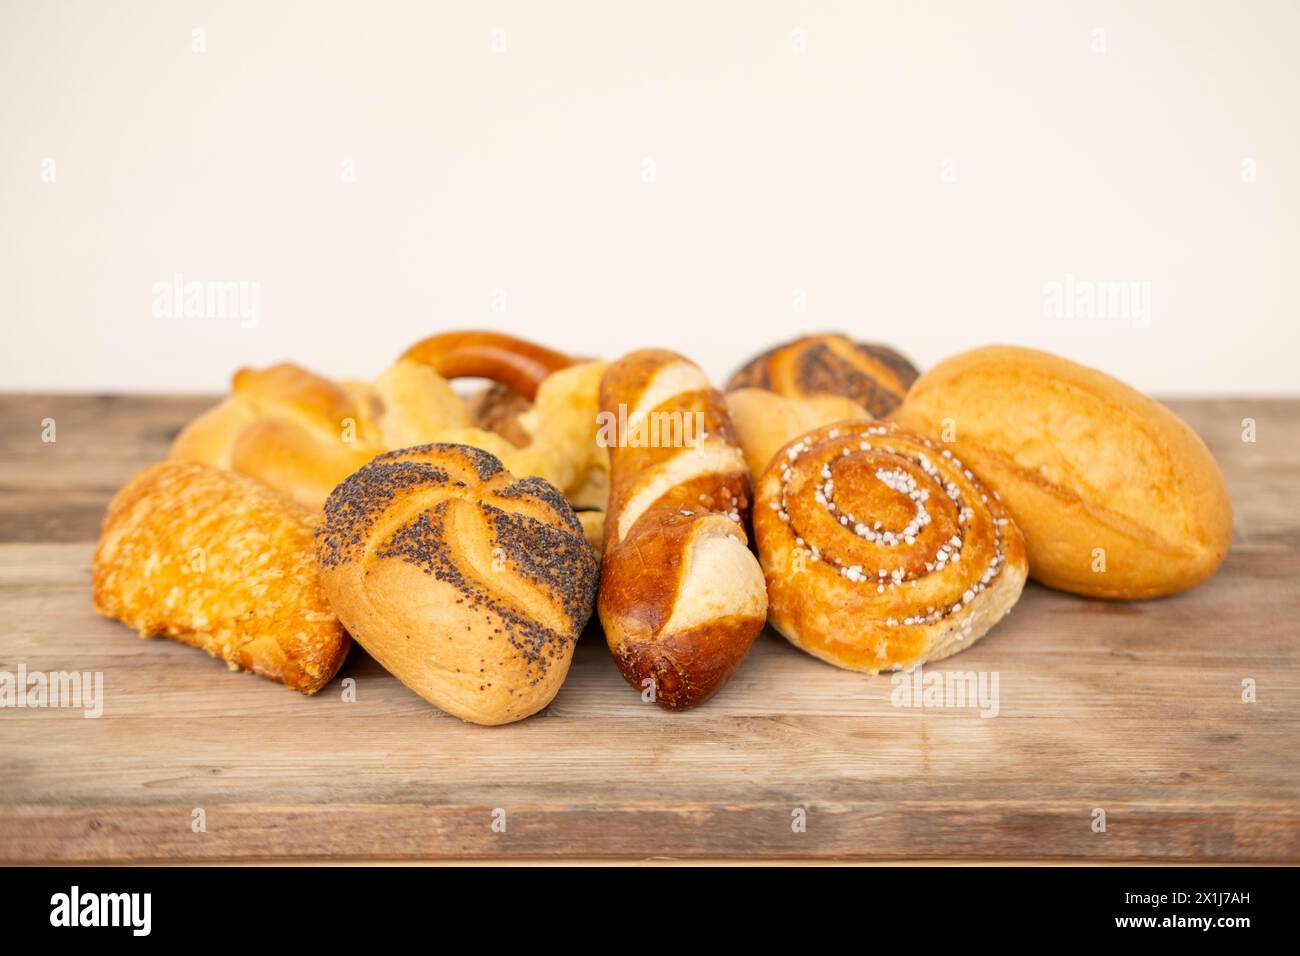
{"points": [[874, 377]]}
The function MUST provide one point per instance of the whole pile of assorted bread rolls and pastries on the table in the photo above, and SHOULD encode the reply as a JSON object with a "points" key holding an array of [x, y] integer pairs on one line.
{"points": [[465, 540]]}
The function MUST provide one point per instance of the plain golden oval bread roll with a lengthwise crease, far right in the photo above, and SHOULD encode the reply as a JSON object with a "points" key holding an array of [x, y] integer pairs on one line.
{"points": [[1117, 498]]}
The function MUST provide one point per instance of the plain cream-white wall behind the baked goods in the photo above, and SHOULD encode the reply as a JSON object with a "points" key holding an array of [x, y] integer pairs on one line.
{"points": [[523, 171]]}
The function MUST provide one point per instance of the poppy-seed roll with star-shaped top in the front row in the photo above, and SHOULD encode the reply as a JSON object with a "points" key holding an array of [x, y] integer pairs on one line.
{"points": [[467, 585]]}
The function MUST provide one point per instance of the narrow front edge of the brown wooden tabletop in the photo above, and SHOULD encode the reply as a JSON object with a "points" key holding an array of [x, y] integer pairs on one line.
{"points": [[879, 832]]}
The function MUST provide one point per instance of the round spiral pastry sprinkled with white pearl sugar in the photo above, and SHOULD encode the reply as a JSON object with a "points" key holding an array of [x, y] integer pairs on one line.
{"points": [[881, 550]]}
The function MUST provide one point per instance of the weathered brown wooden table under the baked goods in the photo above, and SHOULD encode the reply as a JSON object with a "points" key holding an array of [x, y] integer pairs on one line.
{"points": [[1134, 710]]}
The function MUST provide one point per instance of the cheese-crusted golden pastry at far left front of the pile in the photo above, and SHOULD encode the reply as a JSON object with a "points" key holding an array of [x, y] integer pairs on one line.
{"points": [[219, 561]]}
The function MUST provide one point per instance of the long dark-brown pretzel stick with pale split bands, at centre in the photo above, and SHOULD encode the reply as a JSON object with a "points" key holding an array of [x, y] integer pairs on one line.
{"points": [[682, 595]]}
